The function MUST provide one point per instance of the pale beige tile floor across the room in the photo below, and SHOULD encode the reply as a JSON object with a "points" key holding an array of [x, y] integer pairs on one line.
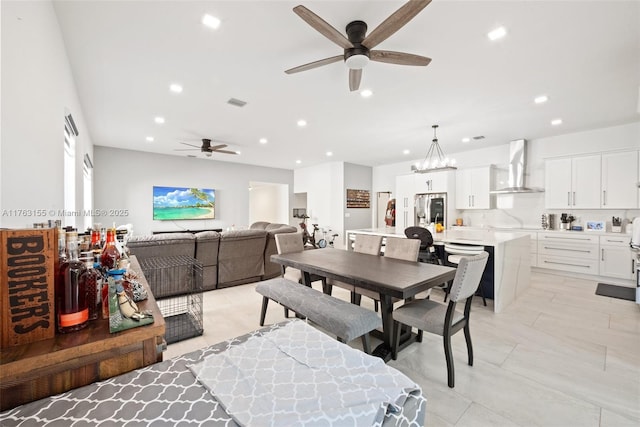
{"points": [[559, 356]]}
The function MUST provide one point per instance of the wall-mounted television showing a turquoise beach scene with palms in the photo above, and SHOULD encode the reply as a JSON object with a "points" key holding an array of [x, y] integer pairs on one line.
{"points": [[171, 203]]}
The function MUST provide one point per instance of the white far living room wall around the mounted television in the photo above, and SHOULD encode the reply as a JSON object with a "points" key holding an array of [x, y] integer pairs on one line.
{"points": [[124, 180]]}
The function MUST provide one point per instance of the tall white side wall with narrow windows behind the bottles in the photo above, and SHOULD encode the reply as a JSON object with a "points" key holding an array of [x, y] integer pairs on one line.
{"points": [[37, 91]]}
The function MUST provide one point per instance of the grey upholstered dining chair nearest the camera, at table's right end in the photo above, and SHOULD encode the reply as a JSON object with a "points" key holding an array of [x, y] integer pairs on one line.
{"points": [[444, 320]]}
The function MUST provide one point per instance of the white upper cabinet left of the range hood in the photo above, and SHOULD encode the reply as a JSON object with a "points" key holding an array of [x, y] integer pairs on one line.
{"points": [[472, 188]]}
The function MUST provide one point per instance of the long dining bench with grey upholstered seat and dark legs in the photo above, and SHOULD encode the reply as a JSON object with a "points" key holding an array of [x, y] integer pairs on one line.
{"points": [[347, 321]]}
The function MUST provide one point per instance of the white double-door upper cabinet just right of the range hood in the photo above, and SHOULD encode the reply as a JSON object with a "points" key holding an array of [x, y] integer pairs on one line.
{"points": [[572, 183]]}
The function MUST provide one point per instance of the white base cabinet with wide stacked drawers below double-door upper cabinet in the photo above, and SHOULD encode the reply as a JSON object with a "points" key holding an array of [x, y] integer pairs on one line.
{"points": [[569, 251]]}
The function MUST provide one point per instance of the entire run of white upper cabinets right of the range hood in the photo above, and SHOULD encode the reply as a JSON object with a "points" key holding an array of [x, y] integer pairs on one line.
{"points": [[607, 181]]}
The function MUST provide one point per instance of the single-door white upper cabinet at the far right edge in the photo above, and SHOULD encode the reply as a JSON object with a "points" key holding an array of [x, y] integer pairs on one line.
{"points": [[620, 180]]}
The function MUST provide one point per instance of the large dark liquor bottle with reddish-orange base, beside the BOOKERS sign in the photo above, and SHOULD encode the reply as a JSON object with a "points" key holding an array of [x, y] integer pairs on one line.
{"points": [[72, 312]]}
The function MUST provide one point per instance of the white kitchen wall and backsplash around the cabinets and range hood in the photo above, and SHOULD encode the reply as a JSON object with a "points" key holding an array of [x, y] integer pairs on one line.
{"points": [[517, 210]]}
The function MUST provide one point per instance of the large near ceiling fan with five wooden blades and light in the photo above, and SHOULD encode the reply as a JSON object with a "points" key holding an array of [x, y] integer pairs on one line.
{"points": [[358, 46]]}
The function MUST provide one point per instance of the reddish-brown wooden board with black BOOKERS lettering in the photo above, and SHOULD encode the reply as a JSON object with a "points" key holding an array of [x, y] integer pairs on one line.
{"points": [[27, 273]]}
